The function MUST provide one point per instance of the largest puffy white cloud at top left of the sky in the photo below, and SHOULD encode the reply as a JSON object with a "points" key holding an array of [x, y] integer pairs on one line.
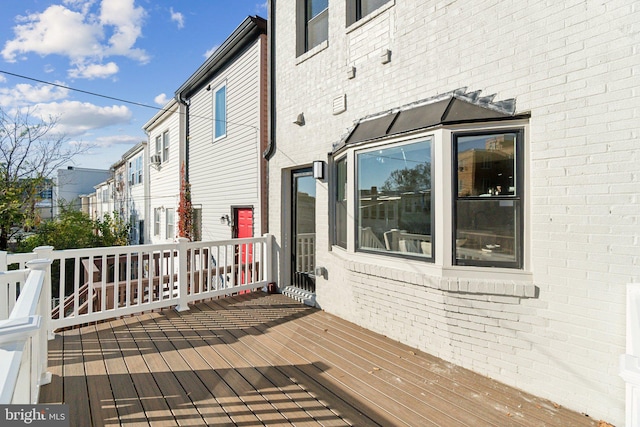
{"points": [[82, 36]]}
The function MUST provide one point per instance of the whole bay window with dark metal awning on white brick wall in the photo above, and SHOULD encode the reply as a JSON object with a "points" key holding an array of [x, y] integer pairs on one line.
{"points": [[440, 181]]}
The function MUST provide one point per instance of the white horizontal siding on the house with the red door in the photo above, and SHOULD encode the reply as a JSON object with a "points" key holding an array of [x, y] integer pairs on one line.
{"points": [[225, 173]]}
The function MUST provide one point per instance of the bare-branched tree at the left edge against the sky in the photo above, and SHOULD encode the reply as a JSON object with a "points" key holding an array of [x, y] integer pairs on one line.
{"points": [[30, 151]]}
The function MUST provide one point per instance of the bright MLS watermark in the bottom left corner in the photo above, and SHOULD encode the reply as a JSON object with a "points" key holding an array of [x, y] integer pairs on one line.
{"points": [[34, 415]]}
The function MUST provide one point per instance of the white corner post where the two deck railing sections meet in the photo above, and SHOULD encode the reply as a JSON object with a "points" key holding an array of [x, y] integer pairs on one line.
{"points": [[45, 312]]}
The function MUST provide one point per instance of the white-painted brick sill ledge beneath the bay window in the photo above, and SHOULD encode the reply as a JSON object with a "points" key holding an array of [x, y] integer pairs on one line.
{"points": [[470, 280]]}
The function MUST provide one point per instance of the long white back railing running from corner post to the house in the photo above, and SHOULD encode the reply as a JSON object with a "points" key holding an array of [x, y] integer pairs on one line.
{"points": [[101, 283]]}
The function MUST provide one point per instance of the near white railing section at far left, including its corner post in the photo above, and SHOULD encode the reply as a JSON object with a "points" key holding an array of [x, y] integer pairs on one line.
{"points": [[24, 327]]}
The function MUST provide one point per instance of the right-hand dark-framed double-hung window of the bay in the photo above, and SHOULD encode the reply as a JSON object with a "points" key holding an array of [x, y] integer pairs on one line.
{"points": [[488, 204]]}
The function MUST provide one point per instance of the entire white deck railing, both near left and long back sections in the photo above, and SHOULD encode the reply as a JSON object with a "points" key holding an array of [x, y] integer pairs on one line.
{"points": [[103, 283]]}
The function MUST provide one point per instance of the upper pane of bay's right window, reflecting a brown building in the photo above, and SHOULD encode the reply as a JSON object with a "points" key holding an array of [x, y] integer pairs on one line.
{"points": [[486, 165]]}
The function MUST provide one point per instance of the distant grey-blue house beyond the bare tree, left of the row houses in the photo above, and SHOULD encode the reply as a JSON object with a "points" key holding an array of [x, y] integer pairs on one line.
{"points": [[73, 181]]}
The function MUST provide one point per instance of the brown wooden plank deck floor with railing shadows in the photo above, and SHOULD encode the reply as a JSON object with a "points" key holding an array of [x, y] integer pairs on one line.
{"points": [[258, 359]]}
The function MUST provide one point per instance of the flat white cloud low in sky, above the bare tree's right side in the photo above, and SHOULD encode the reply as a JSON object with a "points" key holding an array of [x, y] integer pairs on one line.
{"points": [[76, 118]]}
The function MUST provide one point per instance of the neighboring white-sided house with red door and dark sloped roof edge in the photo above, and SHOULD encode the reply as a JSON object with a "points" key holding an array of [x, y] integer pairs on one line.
{"points": [[224, 104]]}
